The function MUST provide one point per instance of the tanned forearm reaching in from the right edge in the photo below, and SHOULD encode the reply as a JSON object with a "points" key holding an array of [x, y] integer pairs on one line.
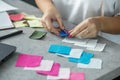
{"points": [[109, 24]]}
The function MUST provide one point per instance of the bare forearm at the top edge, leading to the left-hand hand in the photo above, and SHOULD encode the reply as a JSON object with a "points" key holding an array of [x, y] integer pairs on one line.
{"points": [[45, 5]]}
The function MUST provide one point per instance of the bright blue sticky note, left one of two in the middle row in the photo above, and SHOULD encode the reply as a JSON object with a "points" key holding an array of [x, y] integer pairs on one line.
{"points": [[59, 49]]}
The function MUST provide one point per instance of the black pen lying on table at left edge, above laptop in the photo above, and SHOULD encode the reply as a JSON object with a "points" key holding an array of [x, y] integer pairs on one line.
{"points": [[11, 33]]}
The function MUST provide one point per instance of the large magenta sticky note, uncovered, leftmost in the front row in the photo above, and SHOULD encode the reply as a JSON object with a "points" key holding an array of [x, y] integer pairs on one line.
{"points": [[26, 60]]}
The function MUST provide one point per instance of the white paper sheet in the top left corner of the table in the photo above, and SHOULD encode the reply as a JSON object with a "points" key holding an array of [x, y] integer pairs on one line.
{"points": [[5, 7]]}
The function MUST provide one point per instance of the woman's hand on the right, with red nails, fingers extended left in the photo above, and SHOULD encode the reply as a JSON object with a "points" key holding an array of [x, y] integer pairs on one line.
{"points": [[89, 28]]}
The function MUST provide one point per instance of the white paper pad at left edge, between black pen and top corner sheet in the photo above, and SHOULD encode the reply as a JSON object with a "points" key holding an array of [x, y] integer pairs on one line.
{"points": [[5, 22]]}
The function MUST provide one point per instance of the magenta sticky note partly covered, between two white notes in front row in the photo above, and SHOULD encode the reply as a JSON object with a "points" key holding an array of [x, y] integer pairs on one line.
{"points": [[54, 71]]}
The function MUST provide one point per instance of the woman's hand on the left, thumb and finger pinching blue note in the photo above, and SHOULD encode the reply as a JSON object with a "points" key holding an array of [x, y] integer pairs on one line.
{"points": [[50, 16]]}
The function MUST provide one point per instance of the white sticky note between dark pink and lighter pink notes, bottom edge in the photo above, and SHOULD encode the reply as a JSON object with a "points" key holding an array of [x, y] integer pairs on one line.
{"points": [[64, 73]]}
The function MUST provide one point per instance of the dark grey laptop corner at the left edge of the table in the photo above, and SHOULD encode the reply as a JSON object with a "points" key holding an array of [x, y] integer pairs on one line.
{"points": [[6, 50]]}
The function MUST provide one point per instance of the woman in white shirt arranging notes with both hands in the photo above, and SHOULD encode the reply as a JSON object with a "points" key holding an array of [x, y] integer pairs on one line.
{"points": [[91, 16]]}
